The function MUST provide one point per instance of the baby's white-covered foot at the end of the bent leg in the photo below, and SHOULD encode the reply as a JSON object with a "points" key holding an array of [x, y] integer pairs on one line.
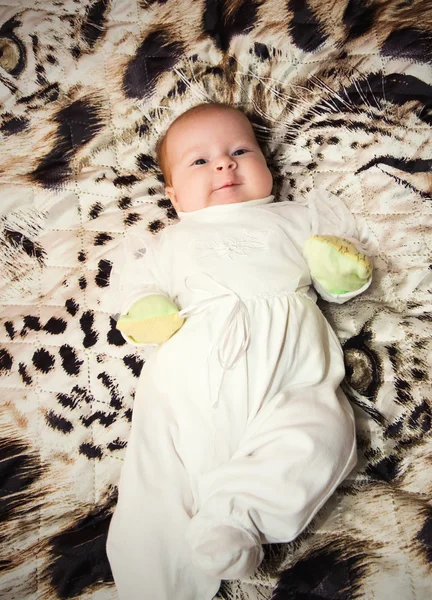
{"points": [[224, 550]]}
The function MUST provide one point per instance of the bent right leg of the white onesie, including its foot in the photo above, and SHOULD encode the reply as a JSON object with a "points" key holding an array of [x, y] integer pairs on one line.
{"points": [[293, 456]]}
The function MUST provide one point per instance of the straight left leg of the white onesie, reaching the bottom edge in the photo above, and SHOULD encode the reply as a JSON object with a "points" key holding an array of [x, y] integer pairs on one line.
{"points": [[146, 546]]}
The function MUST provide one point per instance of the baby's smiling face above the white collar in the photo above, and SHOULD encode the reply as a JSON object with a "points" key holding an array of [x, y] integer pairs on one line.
{"points": [[214, 158]]}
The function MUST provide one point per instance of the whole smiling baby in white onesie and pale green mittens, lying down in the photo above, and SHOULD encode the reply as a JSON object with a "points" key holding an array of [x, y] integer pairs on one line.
{"points": [[240, 432]]}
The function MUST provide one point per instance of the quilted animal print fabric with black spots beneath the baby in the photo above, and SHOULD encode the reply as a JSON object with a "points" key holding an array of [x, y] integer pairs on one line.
{"points": [[340, 94]]}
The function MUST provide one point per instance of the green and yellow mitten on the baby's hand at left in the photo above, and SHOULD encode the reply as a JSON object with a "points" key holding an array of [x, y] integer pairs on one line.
{"points": [[150, 320]]}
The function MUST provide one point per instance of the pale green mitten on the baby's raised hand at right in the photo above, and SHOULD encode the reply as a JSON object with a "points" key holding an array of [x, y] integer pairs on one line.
{"points": [[336, 264]]}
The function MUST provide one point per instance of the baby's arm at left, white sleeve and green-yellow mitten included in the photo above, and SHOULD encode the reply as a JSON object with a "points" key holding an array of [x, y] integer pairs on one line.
{"points": [[148, 315]]}
